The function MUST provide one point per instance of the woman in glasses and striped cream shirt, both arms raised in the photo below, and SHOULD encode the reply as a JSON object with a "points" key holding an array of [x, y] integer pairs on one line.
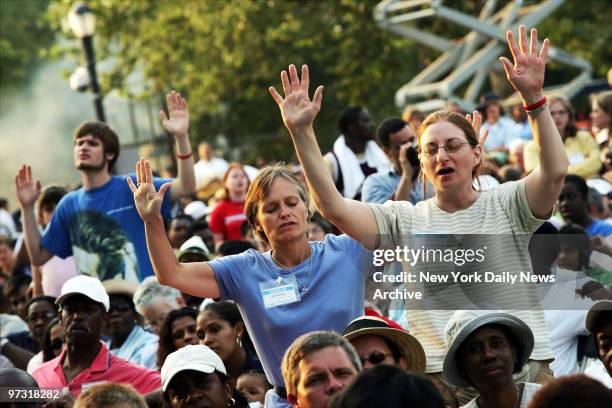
{"points": [[450, 156]]}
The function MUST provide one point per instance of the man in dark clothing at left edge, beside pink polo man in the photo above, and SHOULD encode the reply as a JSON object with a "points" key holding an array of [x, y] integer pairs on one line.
{"points": [[20, 347]]}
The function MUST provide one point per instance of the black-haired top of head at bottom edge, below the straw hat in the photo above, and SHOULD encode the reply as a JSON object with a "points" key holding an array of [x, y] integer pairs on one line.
{"points": [[388, 386]]}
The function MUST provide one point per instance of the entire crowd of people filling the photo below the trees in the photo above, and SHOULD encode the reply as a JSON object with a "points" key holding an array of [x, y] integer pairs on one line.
{"points": [[236, 286]]}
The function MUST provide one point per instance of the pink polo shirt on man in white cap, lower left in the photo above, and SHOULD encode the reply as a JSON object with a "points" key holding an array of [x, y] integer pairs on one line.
{"points": [[106, 367]]}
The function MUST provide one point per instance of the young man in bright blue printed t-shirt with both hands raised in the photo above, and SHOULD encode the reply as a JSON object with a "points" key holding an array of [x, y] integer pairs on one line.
{"points": [[98, 223]]}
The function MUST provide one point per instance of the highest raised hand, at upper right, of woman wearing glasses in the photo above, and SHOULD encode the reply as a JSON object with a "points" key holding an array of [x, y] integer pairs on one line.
{"points": [[527, 73]]}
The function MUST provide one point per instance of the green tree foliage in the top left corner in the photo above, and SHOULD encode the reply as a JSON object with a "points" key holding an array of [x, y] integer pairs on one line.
{"points": [[23, 34]]}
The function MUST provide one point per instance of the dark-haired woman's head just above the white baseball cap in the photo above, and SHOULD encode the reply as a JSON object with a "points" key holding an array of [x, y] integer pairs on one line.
{"points": [[177, 330]]}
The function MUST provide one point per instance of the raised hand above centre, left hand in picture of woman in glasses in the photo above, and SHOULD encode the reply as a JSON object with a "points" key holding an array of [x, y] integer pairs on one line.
{"points": [[296, 108]]}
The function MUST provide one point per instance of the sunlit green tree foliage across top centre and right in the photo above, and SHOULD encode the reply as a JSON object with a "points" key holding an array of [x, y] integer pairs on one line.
{"points": [[224, 54]]}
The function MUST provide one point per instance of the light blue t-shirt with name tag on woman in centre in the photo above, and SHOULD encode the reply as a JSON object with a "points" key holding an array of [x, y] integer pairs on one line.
{"points": [[334, 276]]}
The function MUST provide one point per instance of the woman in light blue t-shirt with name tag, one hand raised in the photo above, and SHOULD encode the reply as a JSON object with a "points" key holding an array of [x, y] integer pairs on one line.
{"points": [[280, 297]]}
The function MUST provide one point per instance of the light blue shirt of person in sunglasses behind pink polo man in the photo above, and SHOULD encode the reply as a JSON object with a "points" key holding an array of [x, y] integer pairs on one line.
{"points": [[139, 348]]}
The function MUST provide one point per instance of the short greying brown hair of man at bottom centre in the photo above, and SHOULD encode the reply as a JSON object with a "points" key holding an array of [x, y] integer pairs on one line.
{"points": [[307, 344]]}
